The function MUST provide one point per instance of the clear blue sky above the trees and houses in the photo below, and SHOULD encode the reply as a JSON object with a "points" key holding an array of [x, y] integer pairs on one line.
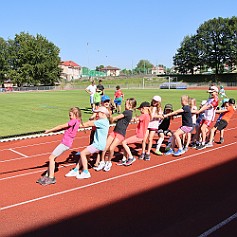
{"points": [[118, 33]]}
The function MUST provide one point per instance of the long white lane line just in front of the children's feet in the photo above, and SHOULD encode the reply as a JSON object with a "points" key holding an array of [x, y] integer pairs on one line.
{"points": [[109, 179]]}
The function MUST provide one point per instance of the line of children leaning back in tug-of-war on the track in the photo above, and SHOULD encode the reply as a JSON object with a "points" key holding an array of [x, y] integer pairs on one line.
{"points": [[152, 121]]}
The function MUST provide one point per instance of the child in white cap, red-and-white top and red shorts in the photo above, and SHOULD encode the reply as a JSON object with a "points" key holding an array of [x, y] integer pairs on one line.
{"points": [[209, 114]]}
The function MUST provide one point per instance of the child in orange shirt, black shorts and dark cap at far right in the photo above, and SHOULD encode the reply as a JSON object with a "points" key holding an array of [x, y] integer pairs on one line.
{"points": [[222, 123]]}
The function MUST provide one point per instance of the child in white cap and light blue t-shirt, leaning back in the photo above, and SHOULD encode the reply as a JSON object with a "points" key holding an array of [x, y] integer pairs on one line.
{"points": [[99, 143]]}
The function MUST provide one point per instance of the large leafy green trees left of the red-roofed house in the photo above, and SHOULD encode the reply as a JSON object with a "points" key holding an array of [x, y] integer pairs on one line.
{"points": [[29, 60]]}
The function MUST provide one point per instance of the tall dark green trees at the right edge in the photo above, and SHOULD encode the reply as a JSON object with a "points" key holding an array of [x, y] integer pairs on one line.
{"points": [[213, 46]]}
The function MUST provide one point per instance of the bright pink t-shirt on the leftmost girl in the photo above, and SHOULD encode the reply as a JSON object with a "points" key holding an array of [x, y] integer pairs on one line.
{"points": [[70, 132]]}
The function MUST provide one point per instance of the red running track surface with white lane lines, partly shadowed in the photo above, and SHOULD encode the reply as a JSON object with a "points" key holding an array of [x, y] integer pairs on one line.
{"points": [[166, 196]]}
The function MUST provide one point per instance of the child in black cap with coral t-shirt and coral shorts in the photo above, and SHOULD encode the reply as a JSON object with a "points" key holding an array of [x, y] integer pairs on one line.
{"points": [[143, 121]]}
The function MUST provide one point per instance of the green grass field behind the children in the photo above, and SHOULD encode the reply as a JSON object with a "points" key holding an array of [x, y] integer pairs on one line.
{"points": [[28, 112]]}
